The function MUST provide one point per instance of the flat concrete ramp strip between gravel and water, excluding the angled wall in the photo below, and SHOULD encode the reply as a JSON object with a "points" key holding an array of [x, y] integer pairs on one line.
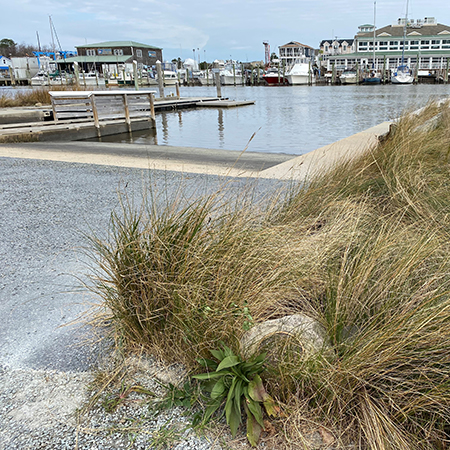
{"points": [[161, 157]]}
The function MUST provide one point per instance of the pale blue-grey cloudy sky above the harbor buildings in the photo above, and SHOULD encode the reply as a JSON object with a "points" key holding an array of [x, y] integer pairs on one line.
{"points": [[219, 29]]}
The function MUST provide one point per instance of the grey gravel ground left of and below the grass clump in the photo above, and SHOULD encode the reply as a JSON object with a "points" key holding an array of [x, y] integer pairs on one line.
{"points": [[45, 364]]}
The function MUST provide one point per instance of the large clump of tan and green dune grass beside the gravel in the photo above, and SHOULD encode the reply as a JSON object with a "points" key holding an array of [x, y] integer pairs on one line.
{"points": [[363, 249]]}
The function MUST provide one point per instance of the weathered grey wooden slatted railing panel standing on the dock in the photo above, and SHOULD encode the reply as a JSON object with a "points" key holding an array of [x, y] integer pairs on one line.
{"points": [[101, 106]]}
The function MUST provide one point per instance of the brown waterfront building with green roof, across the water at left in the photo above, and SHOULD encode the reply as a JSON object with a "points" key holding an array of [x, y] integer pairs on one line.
{"points": [[113, 57]]}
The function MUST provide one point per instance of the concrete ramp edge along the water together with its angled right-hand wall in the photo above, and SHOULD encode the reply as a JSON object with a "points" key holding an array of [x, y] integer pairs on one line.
{"points": [[199, 160]]}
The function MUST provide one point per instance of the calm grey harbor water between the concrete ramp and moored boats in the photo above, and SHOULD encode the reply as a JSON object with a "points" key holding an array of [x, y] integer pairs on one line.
{"points": [[284, 119]]}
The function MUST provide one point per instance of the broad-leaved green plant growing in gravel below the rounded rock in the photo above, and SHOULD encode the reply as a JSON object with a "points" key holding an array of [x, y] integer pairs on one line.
{"points": [[236, 384]]}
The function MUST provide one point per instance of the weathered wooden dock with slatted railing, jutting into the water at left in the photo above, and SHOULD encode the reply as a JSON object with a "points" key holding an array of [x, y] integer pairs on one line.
{"points": [[78, 115]]}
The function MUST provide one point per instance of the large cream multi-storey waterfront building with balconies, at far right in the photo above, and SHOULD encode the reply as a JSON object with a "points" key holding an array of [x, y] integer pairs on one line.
{"points": [[427, 47]]}
